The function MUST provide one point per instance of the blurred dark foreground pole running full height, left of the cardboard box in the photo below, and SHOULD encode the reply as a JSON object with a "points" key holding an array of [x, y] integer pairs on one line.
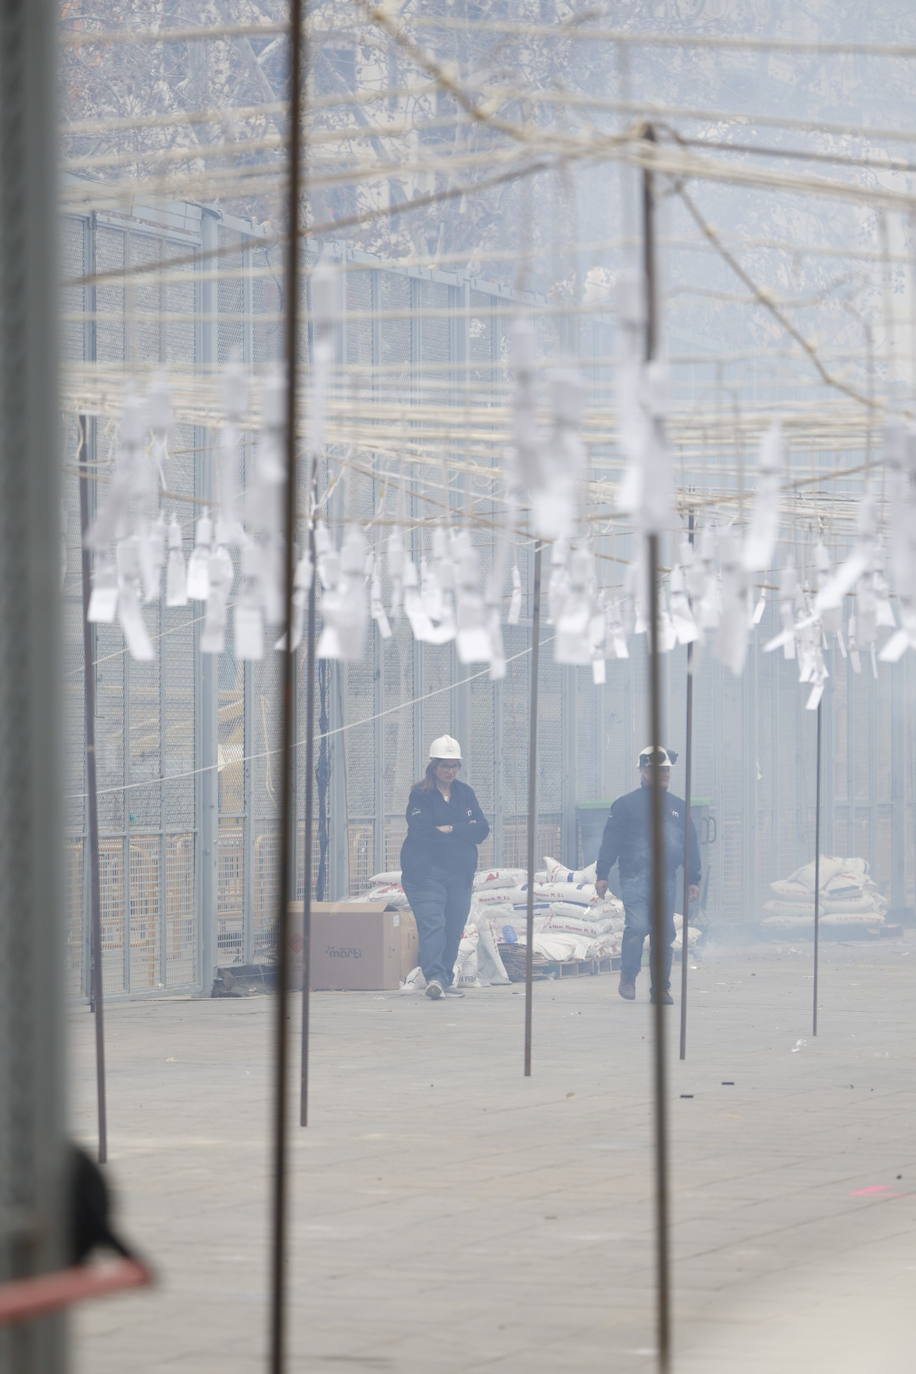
{"points": [[288, 772]]}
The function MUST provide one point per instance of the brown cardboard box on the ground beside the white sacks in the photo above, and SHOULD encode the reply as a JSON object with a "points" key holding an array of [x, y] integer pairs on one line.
{"points": [[356, 946]]}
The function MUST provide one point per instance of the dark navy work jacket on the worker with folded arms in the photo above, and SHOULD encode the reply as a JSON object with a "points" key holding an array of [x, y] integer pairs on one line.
{"points": [[426, 848]]}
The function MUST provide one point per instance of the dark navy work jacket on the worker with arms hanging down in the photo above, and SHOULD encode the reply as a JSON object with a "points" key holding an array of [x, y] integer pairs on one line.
{"points": [[628, 837]]}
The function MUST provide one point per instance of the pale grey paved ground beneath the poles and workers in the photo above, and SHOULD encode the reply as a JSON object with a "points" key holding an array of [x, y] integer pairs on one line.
{"points": [[451, 1215]]}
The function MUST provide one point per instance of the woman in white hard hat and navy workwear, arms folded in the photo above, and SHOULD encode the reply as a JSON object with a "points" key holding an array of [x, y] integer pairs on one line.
{"points": [[439, 859]]}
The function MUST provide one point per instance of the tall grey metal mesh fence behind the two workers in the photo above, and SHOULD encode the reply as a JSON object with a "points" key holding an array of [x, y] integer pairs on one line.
{"points": [[187, 759]]}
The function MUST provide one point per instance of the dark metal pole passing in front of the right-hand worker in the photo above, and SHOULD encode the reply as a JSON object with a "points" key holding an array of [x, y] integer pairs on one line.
{"points": [[664, 1327]]}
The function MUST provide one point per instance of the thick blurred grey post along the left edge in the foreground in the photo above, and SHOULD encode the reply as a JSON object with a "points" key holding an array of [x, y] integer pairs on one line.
{"points": [[32, 1075]]}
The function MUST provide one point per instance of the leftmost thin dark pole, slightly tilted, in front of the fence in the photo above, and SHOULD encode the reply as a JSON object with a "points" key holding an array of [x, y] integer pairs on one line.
{"points": [[93, 800]]}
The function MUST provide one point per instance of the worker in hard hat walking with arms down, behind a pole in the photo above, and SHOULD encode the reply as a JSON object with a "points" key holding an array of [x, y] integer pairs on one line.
{"points": [[628, 842]]}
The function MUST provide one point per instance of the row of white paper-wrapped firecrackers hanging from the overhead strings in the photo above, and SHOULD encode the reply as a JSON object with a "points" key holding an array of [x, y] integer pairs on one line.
{"points": [[709, 594]]}
